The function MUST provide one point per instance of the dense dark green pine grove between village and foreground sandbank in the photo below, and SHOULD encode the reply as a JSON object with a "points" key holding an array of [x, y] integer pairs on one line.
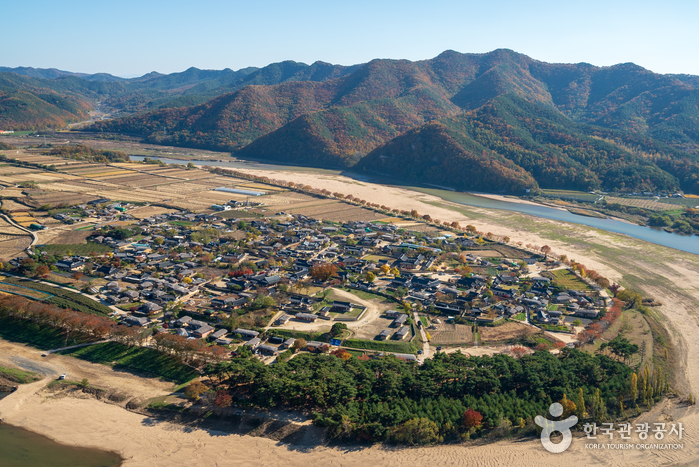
{"points": [[383, 399]]}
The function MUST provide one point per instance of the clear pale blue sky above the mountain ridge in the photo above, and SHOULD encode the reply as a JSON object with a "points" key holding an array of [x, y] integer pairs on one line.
{"points": [[130, 38]]}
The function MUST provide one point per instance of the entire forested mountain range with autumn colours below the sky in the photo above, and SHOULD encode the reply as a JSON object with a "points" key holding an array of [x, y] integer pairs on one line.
{"points": [[497, 122]]}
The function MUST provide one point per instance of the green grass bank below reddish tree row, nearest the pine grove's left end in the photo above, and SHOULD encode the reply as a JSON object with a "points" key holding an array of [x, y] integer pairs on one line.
{"points": [[135, 358]]}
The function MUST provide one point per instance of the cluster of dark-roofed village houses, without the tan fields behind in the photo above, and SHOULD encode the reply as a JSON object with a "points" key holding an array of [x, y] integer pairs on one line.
{"points": [[264, 282]]}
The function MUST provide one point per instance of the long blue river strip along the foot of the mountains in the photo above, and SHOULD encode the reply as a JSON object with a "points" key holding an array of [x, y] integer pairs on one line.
{"points": [[689, 244]]}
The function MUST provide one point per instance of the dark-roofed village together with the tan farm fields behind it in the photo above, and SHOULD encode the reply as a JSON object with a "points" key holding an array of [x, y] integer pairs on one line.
{"points": [[254, 266]]}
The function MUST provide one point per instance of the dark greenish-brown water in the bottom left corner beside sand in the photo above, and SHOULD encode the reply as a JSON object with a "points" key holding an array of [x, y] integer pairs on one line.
{"points": [[24, 448]]}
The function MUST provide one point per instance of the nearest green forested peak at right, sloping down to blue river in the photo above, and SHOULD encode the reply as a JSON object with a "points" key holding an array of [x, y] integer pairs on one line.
{"points": [[538, 141]]}
